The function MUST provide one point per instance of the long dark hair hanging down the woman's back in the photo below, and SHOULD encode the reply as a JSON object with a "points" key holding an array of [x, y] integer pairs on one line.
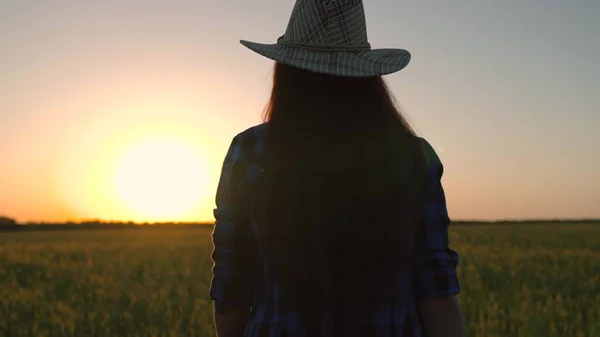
{"points": [[340, 191]]}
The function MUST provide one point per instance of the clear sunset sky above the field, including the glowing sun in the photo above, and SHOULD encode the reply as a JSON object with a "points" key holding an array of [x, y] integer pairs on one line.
{"points": [[124, 109]]}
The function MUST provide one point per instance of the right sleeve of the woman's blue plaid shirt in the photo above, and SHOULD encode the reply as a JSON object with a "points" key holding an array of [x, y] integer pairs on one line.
{"points": [[435, 262]]}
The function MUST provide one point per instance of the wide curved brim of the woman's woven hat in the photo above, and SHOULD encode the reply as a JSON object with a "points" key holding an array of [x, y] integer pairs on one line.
{"points": [[374, 62]]}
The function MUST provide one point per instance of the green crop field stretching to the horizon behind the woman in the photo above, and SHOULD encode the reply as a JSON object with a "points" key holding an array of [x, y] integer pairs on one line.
{"points": [[517, 280]]}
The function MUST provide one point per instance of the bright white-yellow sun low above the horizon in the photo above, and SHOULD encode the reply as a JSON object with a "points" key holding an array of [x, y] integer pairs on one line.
{"points": [[160, 180]]}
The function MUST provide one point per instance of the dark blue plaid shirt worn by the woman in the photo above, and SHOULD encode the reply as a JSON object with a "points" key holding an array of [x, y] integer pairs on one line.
{"points": [[238, 275]]}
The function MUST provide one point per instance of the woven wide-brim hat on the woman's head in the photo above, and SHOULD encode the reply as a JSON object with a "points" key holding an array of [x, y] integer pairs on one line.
{"points": [[330, 37]]}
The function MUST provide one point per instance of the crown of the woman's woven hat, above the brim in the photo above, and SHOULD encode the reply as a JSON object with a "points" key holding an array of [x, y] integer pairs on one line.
{"points": [[327, 23]]}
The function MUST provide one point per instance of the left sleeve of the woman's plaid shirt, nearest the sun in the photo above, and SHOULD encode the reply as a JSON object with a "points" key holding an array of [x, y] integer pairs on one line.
{"points": [[235, 248]]}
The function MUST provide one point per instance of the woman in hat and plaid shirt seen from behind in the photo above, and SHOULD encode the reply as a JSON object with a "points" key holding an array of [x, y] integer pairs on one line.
{"points": [[331, 219]]}
